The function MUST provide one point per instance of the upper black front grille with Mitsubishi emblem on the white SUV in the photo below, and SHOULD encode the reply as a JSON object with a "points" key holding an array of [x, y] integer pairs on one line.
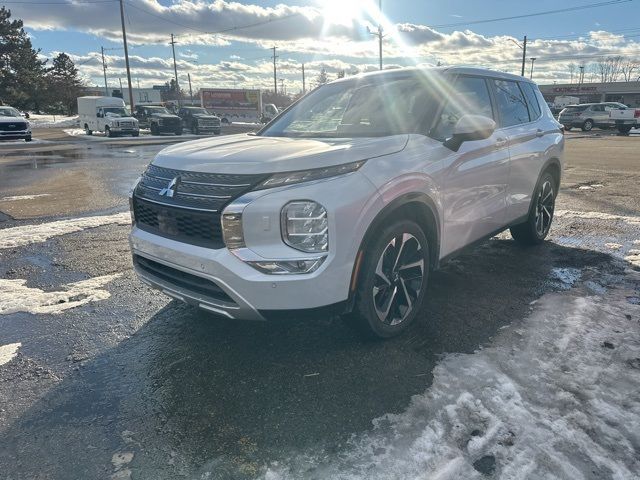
{"points": [[192, 213]]}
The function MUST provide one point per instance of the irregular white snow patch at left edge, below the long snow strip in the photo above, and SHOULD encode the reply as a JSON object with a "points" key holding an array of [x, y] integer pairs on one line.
{"points": [[15, 296]]}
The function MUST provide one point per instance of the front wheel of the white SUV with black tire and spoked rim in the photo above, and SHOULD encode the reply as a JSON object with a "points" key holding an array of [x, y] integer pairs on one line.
{"points": [[393, 281]]}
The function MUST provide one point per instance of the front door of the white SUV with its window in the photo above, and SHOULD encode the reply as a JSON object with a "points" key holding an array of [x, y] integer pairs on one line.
{"points": [[475, 177]]}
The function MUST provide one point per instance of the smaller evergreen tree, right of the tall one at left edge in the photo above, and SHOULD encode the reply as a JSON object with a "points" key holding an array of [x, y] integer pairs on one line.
{"points": [[63, 84]]}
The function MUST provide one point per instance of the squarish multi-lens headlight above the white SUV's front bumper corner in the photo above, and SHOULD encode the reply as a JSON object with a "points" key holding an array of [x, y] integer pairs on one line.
{"points": [[305, 226]]}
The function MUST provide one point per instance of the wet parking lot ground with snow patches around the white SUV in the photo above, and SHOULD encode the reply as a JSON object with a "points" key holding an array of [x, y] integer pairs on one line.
{"points": [[101, 377]]}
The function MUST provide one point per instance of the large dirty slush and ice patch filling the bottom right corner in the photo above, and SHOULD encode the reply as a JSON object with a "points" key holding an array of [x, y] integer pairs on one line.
{"points": [[557, 396]]}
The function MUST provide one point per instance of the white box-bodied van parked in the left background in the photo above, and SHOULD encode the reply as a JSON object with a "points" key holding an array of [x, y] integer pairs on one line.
{"points": [[106, 114]]}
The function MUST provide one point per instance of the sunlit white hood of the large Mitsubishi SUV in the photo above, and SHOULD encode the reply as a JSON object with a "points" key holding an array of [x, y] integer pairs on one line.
{"points": [[251, 154]]}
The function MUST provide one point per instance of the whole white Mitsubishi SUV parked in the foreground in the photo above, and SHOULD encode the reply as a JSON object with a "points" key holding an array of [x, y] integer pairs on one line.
{"points": [[349, 198]]}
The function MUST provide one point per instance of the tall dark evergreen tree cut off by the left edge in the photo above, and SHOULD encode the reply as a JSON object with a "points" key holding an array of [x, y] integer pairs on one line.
{"points": [[21, 71]]}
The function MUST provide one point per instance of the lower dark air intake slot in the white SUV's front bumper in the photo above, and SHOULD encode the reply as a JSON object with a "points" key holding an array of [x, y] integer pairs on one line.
{"points": [[187, 281]]}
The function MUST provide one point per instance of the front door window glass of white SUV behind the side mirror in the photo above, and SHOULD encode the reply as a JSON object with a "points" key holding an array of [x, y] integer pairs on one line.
{"points": [[470, 96]]}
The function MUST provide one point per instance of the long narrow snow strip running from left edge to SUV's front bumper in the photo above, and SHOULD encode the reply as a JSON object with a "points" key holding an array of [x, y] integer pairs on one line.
{"points": [[27, 234]]}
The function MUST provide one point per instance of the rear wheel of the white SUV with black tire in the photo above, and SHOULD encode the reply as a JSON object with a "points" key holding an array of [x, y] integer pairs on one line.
{"points": [[536, 228]]}
